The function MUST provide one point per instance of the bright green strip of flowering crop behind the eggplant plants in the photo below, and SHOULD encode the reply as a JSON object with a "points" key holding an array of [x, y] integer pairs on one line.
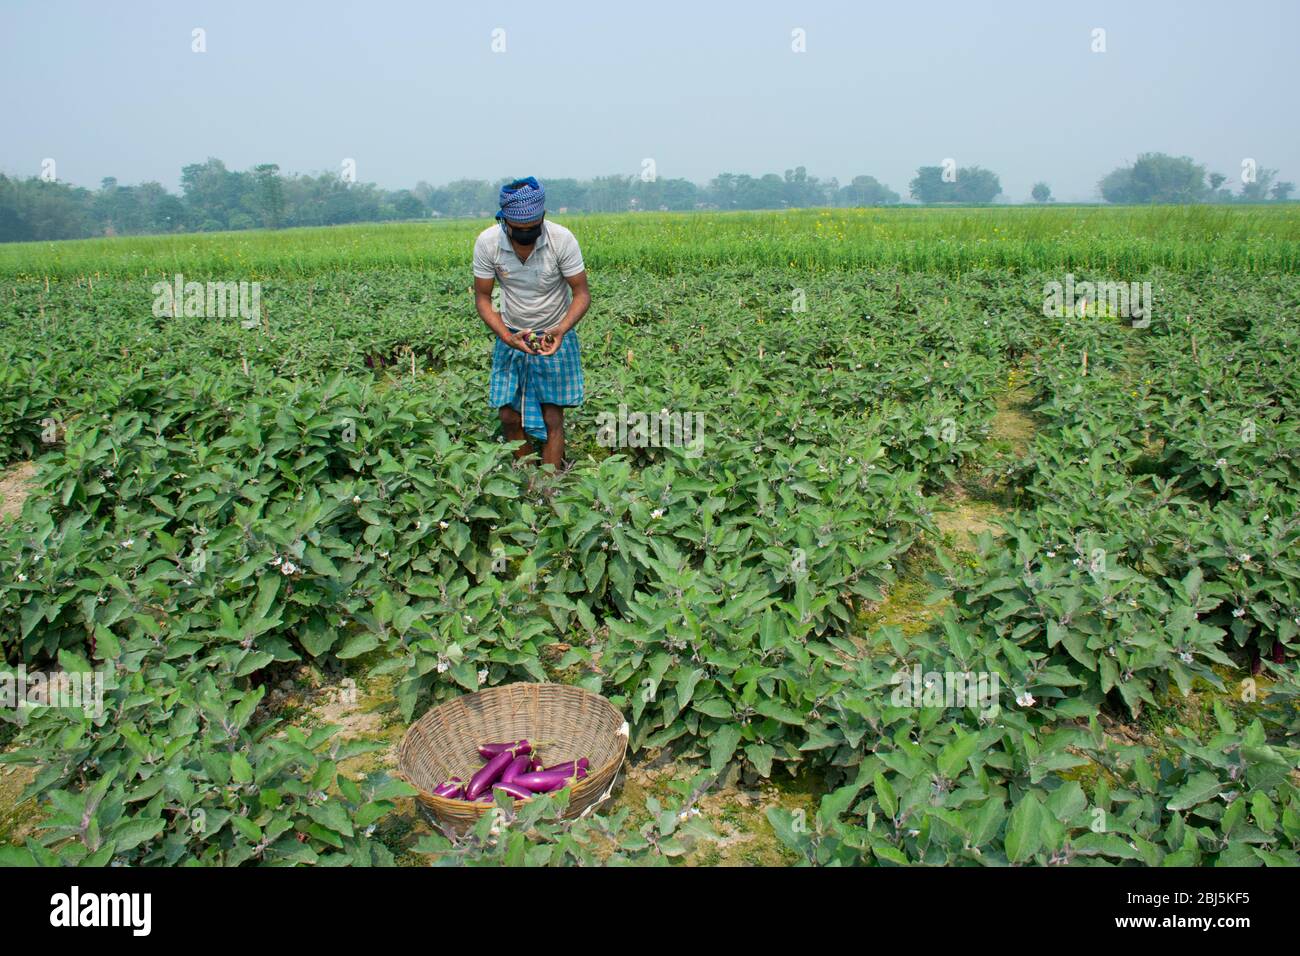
{"points": [[1263, 239]]}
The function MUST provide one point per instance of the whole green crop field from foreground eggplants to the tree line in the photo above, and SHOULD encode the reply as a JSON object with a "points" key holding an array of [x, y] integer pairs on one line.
{"points": [[944, 579]]}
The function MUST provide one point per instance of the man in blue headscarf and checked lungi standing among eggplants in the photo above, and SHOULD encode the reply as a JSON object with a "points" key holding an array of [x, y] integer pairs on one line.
{"points": [[536, 370]]}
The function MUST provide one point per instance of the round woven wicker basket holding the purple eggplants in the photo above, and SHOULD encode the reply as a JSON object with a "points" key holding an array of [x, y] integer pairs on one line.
{"points": [[562, 723]]}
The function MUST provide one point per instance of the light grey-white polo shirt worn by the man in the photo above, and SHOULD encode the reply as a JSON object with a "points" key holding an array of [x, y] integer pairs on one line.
{"points": [[534, 295]]}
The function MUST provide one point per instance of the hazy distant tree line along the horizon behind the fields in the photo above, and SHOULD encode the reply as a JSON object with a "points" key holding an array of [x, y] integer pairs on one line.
{"points": [[216, 198]]}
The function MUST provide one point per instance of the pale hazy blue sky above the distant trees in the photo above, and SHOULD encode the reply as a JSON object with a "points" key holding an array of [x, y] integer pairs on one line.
{"points": [[413, 90]]}
